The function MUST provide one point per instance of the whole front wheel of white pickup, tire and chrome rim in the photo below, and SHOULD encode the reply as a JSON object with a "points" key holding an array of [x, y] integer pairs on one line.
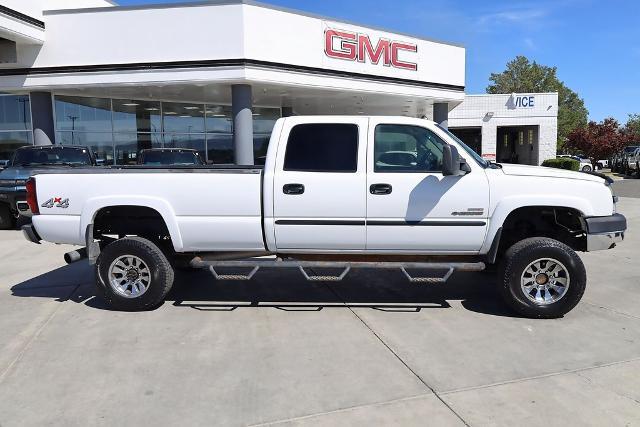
{"points": [[542, 278]]}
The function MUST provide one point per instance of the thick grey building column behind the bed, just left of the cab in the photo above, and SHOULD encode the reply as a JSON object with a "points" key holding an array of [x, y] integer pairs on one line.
{"points": [[242, 104]]}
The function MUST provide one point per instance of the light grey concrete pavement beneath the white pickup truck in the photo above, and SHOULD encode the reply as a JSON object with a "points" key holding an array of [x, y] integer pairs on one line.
{"points": [[278, 350]]}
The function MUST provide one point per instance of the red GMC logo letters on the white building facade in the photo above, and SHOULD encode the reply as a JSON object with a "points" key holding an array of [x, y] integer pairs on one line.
{"points": [[358, 47]]}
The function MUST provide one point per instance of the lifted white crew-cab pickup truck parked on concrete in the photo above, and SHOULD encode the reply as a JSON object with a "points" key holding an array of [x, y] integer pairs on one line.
{"points": [[339, 192]]}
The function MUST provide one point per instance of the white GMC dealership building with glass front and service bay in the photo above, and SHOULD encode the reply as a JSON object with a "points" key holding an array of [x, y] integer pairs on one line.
{"points": [[216, 75]]}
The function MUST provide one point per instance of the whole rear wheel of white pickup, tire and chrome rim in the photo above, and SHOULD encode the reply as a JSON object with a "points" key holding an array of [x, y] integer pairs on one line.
{"points": [[133, 274]]}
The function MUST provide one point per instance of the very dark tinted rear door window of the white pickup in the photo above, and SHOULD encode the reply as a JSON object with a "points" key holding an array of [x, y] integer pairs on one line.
{"points": [[322, 148]]}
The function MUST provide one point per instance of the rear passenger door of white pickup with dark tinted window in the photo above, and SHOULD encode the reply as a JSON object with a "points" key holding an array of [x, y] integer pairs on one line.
{"points": [[319, 197]]}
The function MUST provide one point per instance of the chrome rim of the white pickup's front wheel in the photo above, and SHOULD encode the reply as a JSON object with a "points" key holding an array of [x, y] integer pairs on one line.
{"points": [[545, 281]]}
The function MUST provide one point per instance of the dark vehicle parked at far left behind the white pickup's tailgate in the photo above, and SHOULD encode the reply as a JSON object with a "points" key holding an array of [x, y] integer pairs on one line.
{"points": [[28, 161]]}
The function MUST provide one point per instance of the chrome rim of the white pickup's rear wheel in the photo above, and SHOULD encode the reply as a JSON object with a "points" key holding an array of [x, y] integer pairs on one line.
{"points": [[129, 276]]}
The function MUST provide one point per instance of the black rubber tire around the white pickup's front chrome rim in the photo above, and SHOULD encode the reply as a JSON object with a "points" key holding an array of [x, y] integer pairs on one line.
{"points": [[520, 256]]}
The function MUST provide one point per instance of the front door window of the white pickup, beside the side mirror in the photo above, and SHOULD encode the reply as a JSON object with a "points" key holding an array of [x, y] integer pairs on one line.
{"points": [[404, 148]]}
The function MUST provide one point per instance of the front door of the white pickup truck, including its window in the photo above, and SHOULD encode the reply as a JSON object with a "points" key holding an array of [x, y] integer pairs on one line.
{"points": [[411, 206]]}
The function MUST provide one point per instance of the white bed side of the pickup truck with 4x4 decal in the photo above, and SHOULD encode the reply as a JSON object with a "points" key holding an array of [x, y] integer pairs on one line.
{"points": [[206, 208]]}
